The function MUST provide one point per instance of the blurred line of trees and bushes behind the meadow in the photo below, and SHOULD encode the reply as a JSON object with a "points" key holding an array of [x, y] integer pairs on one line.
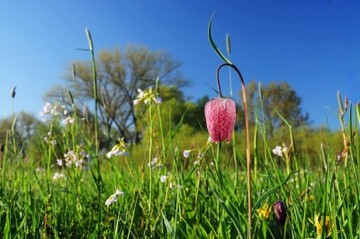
{"points": [[275, 109]]}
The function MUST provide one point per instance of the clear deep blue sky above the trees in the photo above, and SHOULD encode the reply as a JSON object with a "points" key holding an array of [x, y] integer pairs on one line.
{"points": [[314, 45]]}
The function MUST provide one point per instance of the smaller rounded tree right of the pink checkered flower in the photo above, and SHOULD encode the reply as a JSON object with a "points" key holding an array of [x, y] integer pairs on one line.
{"points": [[276, 99]]}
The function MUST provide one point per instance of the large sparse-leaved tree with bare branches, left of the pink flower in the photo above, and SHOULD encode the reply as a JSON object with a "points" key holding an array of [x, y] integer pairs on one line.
{"points": [[119, 76]]}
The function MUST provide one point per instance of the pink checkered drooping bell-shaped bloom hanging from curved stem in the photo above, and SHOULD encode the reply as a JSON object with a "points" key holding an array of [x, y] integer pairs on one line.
{"points": [[220, 115]]}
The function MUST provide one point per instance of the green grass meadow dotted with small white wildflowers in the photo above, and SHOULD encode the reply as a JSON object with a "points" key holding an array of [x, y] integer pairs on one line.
{"points": [[163, 188]]}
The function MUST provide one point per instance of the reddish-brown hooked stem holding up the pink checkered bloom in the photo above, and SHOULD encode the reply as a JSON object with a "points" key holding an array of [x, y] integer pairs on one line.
{"points": [[247, 133]]}
